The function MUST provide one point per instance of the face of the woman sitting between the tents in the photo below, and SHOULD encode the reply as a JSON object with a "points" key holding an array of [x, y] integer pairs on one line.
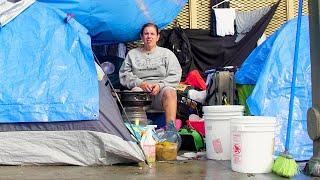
{"points": [[150, 37]]}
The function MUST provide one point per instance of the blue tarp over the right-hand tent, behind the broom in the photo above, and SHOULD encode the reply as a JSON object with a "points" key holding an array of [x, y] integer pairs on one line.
{"points": [[270, 66]]}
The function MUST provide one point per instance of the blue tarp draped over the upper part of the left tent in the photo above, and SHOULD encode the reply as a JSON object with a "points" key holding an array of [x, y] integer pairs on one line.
{"points": [[47, 70]]}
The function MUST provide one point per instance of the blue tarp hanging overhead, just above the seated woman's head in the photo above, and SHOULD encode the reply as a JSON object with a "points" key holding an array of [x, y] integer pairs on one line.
{"points": [[112, 21]]}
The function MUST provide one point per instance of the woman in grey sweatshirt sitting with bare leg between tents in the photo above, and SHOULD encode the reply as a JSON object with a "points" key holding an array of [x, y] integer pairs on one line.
{"points": [[153, 69]]}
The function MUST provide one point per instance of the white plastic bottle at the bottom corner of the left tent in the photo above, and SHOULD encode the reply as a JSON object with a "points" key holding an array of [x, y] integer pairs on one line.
{"points": [[149, 144]]}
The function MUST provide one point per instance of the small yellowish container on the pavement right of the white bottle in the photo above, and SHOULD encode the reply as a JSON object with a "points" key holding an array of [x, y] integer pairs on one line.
{"points": [[166, 151]]}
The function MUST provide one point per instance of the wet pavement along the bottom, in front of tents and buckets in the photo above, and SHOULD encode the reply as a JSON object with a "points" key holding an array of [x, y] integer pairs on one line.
{"points": [[196, 169]]}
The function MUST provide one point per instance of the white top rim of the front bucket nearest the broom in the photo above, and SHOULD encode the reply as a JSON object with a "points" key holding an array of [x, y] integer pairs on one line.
{"points": [[253, 120]]}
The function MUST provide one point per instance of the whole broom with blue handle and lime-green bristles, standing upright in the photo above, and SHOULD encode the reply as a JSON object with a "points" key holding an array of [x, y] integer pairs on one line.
{"points": [[285, 165]]}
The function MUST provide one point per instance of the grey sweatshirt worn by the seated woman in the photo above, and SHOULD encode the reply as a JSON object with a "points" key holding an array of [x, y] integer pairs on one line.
{"points": [[160, 66]]}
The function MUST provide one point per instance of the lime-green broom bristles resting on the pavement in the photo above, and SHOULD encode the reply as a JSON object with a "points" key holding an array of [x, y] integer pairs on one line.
{"points": [[285, 166]]}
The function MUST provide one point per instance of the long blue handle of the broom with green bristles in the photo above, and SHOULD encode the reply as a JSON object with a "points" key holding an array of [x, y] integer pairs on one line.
{"points": [[294, 76]]}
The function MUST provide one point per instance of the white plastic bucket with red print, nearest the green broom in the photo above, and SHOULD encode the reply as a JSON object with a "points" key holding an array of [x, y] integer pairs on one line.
{"points": [[252, 141]]}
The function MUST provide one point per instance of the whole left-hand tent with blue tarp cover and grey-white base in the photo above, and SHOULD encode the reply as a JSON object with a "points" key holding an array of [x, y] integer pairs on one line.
{"points": [[47, 66]]}
